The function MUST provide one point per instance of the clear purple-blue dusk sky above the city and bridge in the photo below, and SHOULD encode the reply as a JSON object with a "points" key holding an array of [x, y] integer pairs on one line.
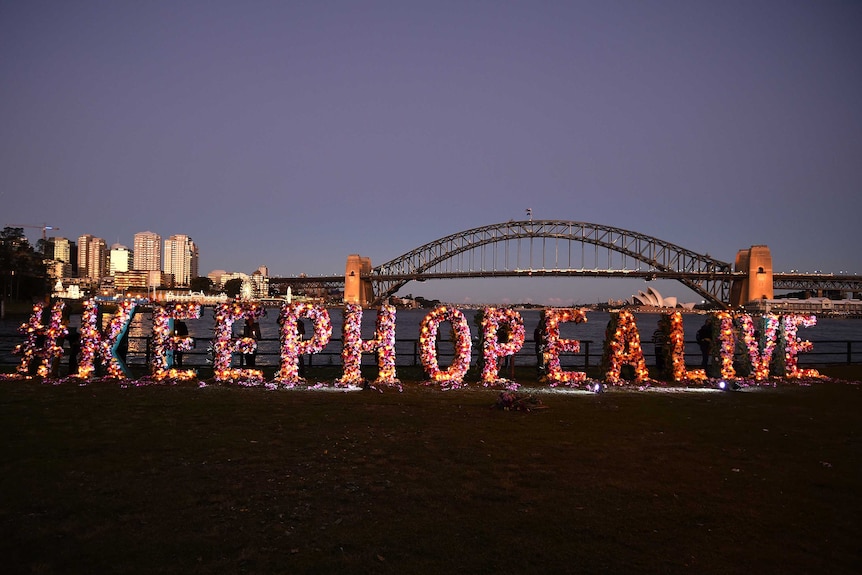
{"points": [[292, 134]]}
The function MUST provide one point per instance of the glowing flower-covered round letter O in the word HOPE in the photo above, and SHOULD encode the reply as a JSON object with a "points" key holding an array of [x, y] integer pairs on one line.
{"points": [[429, 328]]}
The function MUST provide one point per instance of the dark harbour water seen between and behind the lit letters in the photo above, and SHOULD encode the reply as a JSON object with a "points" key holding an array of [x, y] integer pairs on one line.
{"points": [[832, 338]]}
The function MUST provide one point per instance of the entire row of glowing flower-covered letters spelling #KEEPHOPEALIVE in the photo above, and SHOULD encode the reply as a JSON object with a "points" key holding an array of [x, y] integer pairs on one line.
{"points": [[769, 343]]}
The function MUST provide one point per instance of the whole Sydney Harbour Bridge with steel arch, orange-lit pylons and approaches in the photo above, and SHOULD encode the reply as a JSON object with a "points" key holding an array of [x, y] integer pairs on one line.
{"points": [[560, 248]]}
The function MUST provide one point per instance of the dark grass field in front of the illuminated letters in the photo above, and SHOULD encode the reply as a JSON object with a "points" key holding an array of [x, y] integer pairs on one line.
{"points": [[99, 479]]}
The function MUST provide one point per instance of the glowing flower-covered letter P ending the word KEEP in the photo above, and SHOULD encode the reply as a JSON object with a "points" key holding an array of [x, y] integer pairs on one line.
{"points": [[292, 346]]}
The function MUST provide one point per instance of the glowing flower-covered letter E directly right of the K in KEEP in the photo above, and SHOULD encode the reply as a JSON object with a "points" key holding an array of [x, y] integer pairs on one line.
{"points": [[164, 343]]}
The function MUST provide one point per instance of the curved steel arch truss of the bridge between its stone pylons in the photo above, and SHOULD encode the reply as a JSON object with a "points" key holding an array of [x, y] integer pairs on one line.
{"points": [[703, 274]]}
